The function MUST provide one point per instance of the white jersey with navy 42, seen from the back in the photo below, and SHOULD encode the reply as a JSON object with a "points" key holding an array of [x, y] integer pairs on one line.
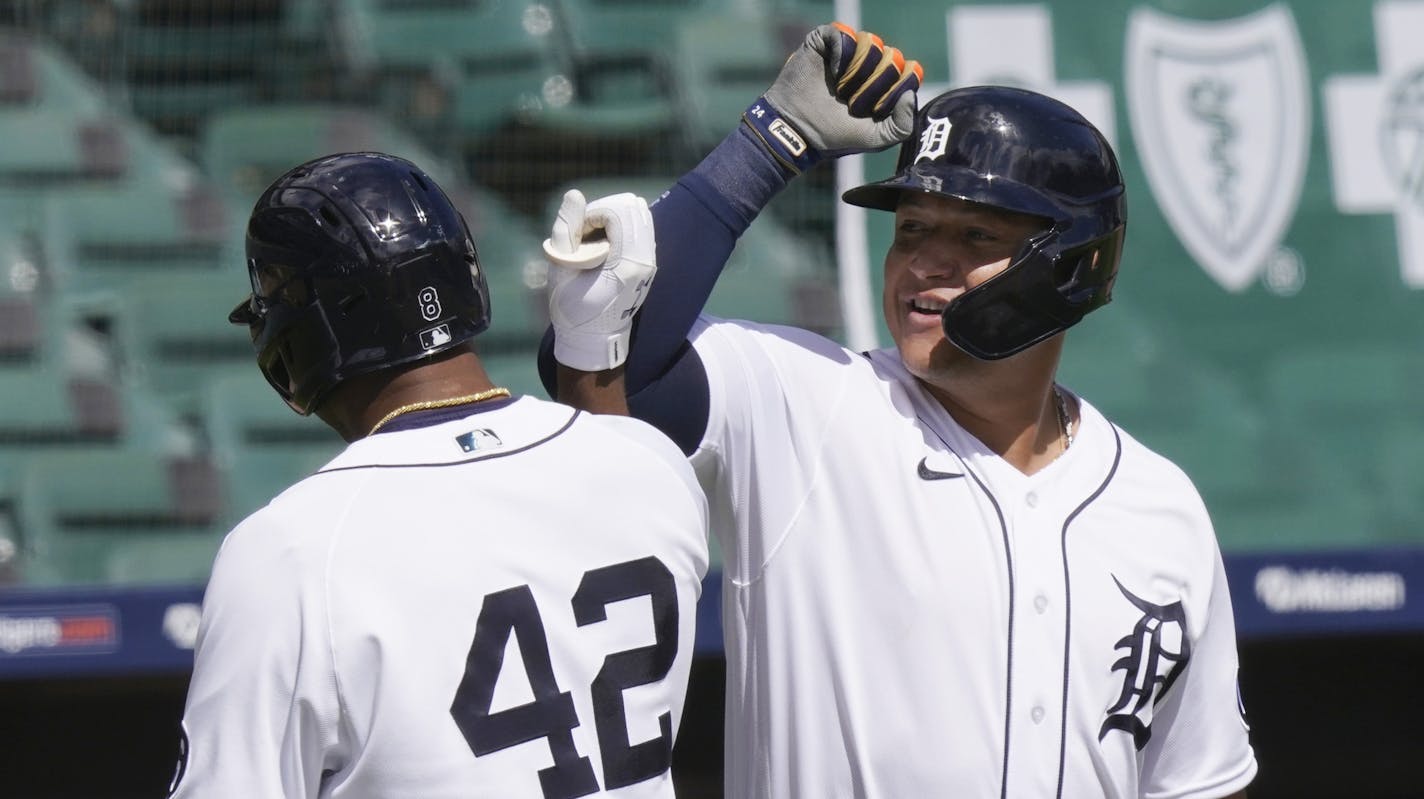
{"points": [[496, 606]]}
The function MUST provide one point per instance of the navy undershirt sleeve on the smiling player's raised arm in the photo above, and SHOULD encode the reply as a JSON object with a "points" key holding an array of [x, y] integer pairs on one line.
{"points": [[697, 224]]}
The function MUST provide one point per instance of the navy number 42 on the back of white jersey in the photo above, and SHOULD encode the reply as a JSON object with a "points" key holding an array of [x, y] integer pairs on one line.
{"points": [[552, 716]]}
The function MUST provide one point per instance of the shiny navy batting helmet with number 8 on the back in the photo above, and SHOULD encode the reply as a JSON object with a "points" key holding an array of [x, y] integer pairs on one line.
{"points": [[358, 263]]}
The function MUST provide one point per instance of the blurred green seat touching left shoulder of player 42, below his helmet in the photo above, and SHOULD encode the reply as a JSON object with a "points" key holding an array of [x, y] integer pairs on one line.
{"points": [[258, 442]]}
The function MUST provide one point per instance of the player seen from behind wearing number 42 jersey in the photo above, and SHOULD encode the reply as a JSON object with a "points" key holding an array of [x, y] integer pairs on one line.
{"points": [[483, 595]]}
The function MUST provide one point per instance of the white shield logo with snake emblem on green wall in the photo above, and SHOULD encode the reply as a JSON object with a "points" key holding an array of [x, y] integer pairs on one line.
{"points": [[1221, 116]]}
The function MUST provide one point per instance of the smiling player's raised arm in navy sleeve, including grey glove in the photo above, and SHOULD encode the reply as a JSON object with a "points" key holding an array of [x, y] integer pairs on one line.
{"points": [[841, 92]]}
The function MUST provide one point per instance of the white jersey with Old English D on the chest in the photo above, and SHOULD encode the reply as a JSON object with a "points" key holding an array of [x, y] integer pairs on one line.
{"points": [[906, 615]]}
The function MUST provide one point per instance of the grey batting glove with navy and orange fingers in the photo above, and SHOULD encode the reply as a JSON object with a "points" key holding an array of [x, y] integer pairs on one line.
{"points": [[842, 92]]}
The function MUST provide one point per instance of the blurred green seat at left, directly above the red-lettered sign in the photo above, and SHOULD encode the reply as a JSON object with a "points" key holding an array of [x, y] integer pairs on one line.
{"points": [[110, 518]]}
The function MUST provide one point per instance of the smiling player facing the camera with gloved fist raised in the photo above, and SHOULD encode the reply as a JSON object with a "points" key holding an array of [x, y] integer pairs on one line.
{"points": [[946, 575]]}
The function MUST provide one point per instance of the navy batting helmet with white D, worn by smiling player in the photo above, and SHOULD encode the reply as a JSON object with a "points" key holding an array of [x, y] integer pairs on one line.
{"points": [[1020, 152]]}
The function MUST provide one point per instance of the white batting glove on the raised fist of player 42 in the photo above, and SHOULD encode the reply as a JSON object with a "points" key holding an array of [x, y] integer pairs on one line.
{"points": [[602, 264]]}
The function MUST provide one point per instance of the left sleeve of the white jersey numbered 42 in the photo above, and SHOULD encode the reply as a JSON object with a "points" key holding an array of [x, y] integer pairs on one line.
{"points": [[263, 716]]}
